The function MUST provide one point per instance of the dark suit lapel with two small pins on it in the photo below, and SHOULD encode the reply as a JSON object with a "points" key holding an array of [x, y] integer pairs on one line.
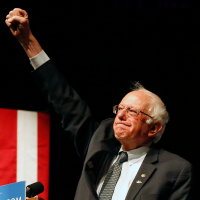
{"points": [[145, 171]]}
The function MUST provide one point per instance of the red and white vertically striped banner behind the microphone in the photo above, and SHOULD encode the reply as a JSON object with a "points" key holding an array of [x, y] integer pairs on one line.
{"points": [[24, 147]]}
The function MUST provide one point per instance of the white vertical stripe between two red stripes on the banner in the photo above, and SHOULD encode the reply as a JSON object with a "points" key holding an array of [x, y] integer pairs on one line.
{"points": [[27, 146]]}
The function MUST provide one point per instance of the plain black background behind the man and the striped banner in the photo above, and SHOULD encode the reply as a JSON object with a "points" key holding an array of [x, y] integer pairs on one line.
{"points": [[101, 53]]}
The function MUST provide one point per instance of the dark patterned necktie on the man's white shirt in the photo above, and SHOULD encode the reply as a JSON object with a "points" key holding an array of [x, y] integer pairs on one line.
{"points": [[112, 177]]}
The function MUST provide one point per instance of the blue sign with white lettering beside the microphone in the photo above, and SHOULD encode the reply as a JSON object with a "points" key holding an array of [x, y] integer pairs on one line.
{"points": [[13, 191]]}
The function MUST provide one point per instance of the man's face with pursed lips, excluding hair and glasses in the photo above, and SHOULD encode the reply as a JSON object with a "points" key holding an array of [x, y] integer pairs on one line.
{"points": [[132, 132]]}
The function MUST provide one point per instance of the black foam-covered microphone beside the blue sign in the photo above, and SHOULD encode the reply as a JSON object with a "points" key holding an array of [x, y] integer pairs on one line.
{"points": [[34, 189]]}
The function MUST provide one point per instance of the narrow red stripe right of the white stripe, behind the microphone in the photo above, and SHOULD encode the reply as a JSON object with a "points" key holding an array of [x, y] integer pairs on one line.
{"points": [[43, 152]]}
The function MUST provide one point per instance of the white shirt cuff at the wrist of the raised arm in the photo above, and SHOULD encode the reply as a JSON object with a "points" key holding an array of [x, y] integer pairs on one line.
{"points": [[39, 59]]}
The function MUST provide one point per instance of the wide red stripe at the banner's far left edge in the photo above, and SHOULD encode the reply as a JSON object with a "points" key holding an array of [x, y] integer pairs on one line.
{"points": [[8, 146]]}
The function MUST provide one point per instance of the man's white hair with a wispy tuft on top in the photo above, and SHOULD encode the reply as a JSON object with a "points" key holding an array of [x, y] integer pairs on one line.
{"points": [[157, 110]]}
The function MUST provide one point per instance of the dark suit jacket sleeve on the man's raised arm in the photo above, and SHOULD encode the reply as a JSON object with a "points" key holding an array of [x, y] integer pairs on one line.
{"points": [[74, 113]]}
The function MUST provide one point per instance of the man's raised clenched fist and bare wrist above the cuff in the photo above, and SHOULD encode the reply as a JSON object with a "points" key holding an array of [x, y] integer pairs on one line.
{"points": [[17, 21]]}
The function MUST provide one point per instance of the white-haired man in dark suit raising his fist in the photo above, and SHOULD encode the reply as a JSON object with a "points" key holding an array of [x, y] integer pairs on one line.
{"points": [[146, 173]]}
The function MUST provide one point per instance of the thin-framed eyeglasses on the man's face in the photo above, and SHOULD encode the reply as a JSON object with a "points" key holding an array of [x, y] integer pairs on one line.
{"points": [[131, 111]]}
